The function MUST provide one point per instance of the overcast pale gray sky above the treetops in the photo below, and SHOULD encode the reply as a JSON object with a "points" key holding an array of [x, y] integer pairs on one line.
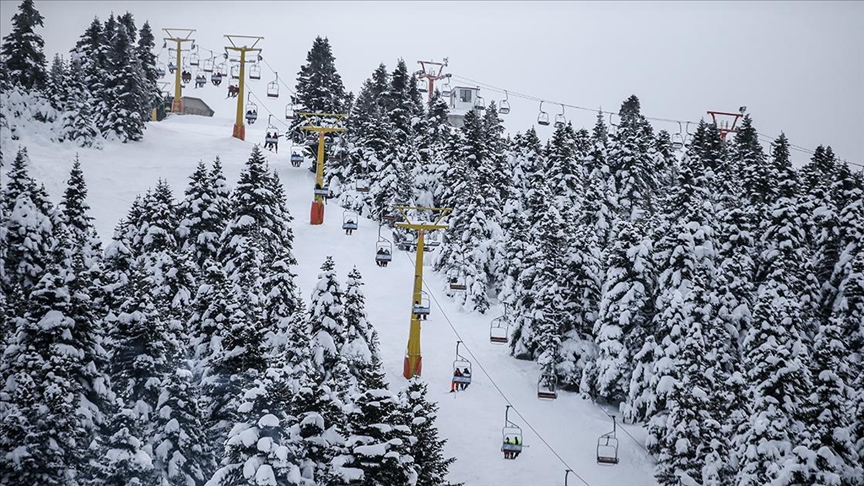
{"points": [[797, 66]]}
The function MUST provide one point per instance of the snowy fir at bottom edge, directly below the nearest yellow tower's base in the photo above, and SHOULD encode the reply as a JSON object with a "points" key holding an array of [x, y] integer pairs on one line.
{"points": [[427, 448]]}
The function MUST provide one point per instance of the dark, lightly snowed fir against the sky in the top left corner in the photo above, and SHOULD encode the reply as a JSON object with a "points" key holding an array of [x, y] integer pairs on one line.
{"points": [[21, 52]]}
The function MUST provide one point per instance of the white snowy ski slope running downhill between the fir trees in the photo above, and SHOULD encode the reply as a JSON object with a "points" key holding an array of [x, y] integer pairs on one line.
{"points": [[559, 434]]}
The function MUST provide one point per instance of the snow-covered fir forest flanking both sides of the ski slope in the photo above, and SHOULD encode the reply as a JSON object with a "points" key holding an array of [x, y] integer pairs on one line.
{"points": [[713, 294]]}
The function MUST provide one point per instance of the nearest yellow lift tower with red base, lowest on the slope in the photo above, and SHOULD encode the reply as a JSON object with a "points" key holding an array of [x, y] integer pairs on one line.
{"points": [[419, 304]]}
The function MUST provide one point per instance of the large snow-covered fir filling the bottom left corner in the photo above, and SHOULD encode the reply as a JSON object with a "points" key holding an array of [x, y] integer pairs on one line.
{"points": [[45, 431]]}
